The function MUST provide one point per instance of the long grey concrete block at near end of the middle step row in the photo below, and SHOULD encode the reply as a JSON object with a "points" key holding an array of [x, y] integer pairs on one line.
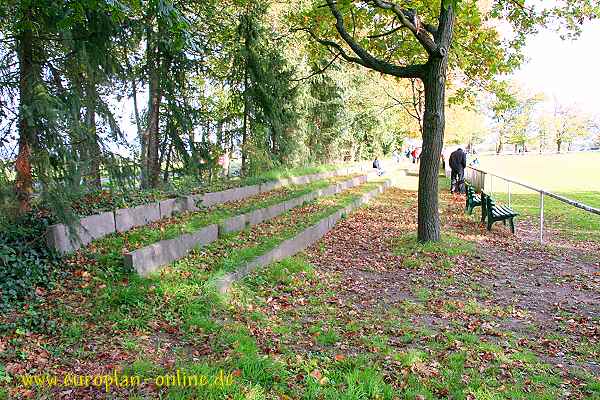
{"points": [[150, 258]]}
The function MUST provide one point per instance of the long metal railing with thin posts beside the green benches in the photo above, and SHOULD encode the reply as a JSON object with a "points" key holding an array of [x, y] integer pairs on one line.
{"points": [[477, 177]]}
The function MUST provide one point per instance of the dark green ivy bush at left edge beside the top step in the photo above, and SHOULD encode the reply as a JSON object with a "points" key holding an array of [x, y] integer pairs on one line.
{"points": [[25, 262]]}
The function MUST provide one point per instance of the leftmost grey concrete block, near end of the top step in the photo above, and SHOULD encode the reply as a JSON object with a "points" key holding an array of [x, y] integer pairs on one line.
{"points": [[87, 229]]}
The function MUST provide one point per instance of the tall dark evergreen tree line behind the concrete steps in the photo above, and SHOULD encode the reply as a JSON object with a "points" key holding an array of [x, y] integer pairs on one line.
{"points": [[189, 81]]}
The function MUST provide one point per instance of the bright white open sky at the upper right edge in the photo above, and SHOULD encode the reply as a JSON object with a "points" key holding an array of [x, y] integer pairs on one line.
{"points": [[563, 69]]}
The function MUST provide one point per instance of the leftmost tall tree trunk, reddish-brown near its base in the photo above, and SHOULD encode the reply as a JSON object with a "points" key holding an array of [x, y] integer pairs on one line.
{"points": [[24, 179]]}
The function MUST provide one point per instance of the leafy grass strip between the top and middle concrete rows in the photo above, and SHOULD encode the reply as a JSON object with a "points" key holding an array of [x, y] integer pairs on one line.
{"points": [[109, 250]]}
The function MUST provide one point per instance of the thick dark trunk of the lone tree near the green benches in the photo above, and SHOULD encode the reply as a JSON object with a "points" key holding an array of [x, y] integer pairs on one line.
{"points": [[434, 82]]}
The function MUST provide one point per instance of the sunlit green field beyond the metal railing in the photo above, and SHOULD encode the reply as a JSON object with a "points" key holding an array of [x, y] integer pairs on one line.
{"points": [[576, 176]]}
